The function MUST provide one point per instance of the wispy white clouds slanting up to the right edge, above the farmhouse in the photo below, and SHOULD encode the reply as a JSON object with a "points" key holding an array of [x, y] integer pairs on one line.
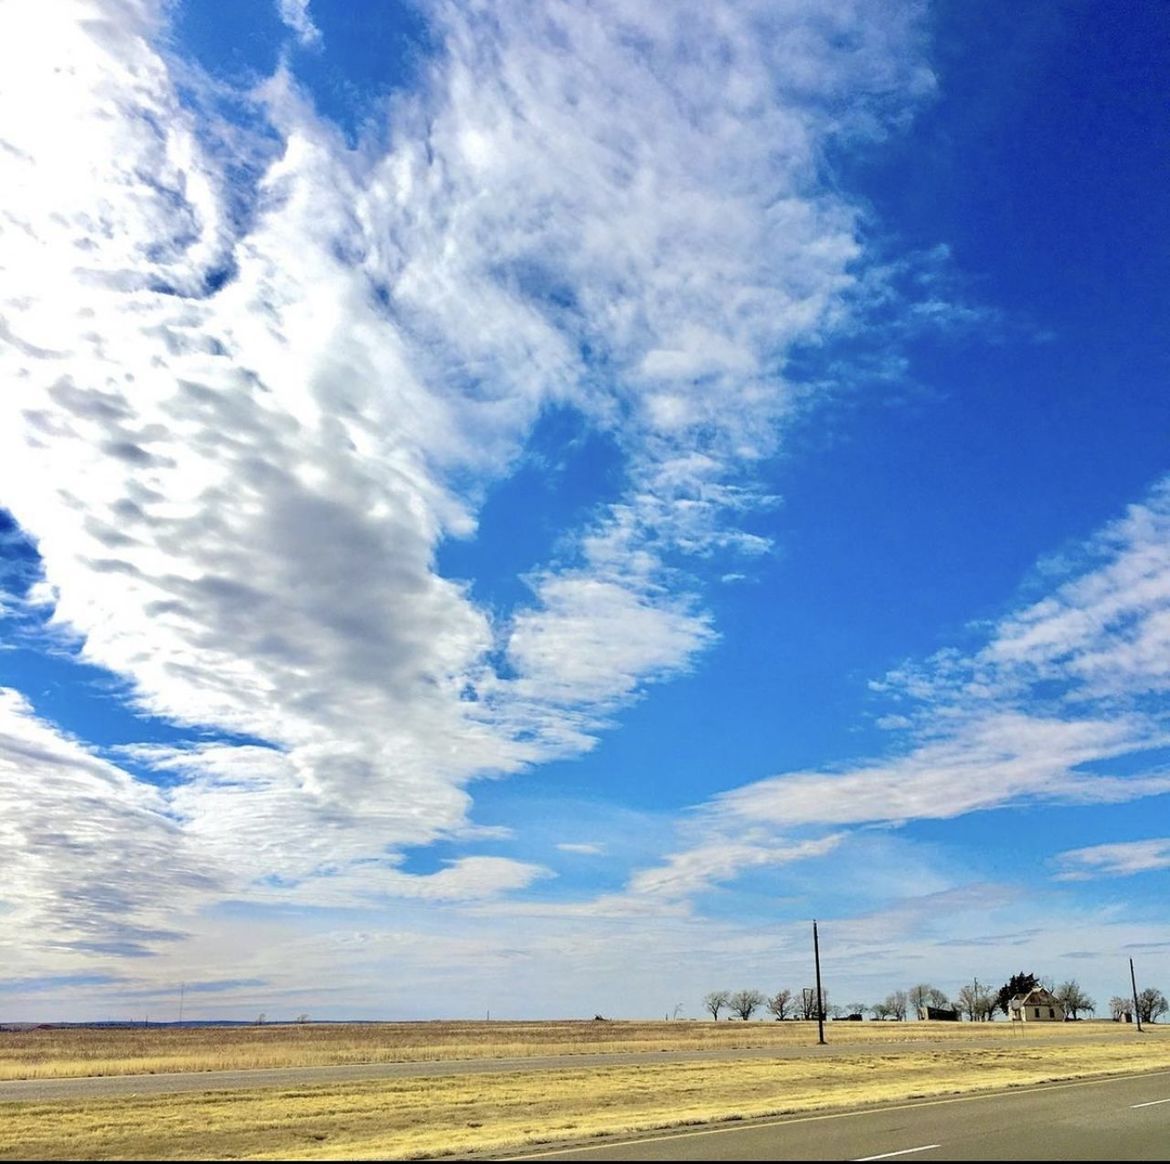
{"points": [[1054, 710]]}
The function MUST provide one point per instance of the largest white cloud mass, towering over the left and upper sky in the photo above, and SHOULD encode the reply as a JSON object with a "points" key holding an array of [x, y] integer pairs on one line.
{"points": [[245, 418]]}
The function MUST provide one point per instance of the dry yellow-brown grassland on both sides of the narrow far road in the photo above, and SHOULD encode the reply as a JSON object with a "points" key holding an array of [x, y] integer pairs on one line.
{"points": [[457, 1117]]}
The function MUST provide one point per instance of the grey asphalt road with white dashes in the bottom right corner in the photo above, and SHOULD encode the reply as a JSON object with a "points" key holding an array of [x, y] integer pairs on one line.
{"points": [[1120, 1119]]}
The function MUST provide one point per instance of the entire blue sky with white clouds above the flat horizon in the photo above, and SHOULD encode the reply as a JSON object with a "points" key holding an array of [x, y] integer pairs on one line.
{"points": [[520, 509]]}
